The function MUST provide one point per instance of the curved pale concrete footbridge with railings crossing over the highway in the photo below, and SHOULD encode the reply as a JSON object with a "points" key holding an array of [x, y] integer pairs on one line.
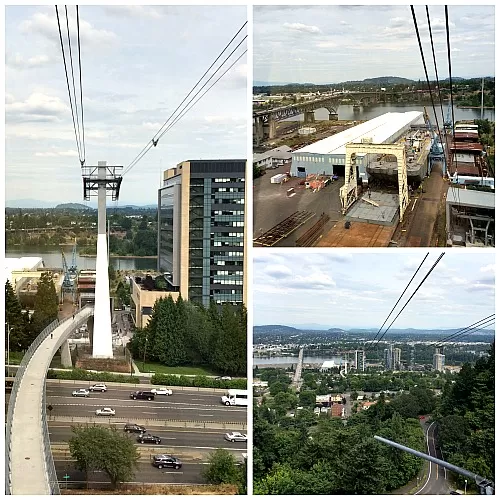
{"points": [[29, 463]]}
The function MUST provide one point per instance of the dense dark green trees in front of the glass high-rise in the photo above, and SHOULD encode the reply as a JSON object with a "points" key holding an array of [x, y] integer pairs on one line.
{"points": [[182, 333]]}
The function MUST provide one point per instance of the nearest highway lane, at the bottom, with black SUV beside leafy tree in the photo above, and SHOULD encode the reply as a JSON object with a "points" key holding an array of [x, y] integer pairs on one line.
{"points": [[145, 473]]}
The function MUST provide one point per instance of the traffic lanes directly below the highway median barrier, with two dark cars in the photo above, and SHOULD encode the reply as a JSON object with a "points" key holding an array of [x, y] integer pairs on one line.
{"points": [[61, 432]]}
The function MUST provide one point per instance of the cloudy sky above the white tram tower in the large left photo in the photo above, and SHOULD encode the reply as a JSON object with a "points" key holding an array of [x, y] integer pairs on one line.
{"points": [[138, 63]]}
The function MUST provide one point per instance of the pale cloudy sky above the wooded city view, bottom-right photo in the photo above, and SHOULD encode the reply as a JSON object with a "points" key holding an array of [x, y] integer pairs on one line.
{"points": [[358, 290]]}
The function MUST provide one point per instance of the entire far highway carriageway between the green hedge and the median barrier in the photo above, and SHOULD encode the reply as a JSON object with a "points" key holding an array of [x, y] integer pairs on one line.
{"points": [[185, 406]]}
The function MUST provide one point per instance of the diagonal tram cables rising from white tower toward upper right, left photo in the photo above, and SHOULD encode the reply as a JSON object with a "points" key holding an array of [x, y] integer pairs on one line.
{"points": [[154, 141]]}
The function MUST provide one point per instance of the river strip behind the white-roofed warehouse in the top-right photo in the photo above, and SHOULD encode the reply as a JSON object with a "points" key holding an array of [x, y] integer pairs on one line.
{"points": [[346, 112]]}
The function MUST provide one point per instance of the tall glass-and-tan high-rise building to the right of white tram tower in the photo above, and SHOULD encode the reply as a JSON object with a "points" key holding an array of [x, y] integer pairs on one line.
{"points": [[201, 230]]}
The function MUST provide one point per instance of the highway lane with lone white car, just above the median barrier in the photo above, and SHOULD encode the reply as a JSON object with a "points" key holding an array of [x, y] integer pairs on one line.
{"points": [[139, 409]]}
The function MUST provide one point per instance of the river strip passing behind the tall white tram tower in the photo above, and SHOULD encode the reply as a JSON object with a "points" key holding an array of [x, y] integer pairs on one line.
{"points": [[52, 258]]}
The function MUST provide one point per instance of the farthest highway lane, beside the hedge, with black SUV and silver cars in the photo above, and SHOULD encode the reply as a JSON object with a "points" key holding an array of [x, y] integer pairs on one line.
{"points": [[124, 393]]}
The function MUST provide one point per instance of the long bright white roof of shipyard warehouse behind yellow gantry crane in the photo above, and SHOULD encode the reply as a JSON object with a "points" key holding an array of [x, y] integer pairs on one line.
{"points": [[378, 129]]}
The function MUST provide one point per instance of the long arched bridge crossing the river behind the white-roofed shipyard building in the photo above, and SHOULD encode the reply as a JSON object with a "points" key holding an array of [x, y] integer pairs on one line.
{"points": [[264, 122]]}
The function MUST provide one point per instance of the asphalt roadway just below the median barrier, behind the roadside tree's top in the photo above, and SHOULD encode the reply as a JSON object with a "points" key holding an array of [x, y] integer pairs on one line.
{"points": [[204, 441]]}
